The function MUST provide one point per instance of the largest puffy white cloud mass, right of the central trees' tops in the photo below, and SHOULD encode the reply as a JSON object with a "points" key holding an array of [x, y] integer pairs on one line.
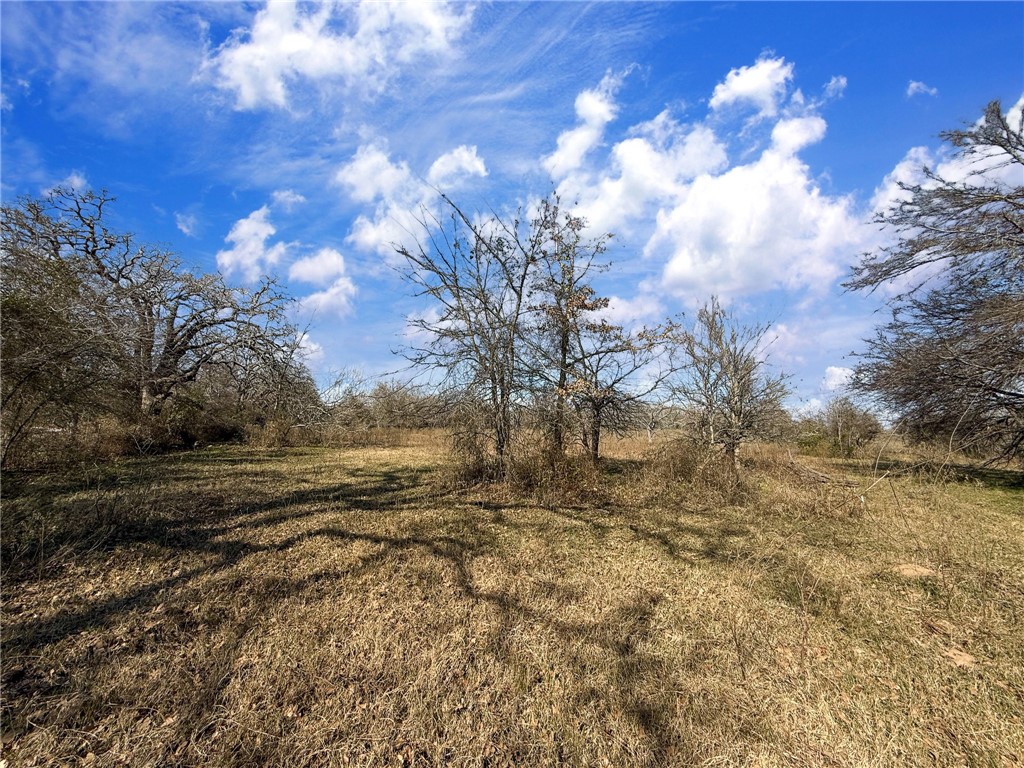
{"points": [[729, 230]]}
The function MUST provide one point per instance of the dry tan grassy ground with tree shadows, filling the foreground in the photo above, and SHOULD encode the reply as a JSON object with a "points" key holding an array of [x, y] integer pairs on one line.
{"points": [[323, 608]]}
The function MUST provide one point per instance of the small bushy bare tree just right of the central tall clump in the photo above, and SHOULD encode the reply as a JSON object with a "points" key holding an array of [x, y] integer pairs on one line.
{"points": [[723, 379]]}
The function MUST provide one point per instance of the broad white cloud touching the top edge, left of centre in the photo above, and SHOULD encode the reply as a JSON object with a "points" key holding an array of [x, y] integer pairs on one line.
{"points": [[363, 46]]}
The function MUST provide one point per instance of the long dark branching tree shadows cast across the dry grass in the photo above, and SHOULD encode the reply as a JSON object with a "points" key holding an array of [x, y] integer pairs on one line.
{"points": [[218, 535]]}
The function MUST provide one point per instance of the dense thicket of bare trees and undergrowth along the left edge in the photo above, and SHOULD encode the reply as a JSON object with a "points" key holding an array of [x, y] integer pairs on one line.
{"points": [[100, 328]]}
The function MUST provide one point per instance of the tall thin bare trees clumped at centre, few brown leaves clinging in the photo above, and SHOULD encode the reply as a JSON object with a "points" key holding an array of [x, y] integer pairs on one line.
{"points": [[520, 325]]}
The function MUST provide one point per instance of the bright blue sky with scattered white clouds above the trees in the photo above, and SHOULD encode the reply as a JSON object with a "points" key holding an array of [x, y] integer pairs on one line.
{"points": [[738, 150]]}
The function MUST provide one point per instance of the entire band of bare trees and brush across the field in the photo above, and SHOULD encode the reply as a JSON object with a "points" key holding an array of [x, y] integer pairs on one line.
{"points": [[105, 335]]}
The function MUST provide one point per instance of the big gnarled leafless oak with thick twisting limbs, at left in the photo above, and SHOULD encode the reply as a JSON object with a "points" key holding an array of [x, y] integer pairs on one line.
{"points": [[173, 324]]}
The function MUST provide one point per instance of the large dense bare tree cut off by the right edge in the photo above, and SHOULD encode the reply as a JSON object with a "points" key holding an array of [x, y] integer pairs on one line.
{"points": [[951, 362]]}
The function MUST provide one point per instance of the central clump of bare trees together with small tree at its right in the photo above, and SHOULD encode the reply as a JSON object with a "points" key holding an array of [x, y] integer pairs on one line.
{"points": [[520, 333]]}
